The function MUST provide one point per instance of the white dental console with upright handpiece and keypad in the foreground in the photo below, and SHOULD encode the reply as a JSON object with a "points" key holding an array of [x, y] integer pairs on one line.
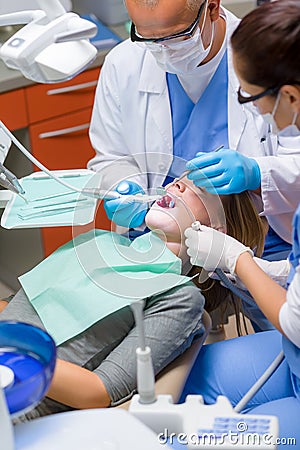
{"points": [[201, 426]]}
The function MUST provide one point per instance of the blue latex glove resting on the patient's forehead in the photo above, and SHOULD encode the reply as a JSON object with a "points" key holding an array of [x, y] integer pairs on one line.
{"points": [[224, 172]]}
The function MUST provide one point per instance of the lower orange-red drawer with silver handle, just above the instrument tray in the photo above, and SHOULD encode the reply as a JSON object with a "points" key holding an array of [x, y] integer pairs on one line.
{"points": [[63, 142]]}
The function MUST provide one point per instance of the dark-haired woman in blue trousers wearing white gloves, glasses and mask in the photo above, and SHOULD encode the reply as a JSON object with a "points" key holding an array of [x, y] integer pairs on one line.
{"points": [[273, 84]]}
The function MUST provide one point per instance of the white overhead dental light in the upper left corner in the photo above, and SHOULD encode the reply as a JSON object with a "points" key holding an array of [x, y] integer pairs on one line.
{"points": [[52, 46]]}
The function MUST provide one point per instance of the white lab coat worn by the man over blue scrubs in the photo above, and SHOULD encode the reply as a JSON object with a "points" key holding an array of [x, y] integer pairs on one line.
{"points": [[131, 131]]}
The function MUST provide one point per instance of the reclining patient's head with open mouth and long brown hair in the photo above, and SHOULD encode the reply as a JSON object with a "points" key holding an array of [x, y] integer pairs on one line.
{"points": [[231, 214]]}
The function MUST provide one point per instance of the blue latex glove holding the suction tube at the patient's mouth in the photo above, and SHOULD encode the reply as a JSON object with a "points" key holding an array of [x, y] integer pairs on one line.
{"points": [[126, 214]]}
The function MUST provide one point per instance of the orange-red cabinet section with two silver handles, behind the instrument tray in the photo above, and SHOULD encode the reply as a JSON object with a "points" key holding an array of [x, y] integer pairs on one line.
{"points": [[59, 117]]}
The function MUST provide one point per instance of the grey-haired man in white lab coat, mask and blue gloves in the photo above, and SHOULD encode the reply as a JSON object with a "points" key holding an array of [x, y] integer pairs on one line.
{"points": [[168, 93]]}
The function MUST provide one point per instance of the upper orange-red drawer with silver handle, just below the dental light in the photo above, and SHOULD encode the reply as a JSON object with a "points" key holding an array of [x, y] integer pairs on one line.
{"points": [[51, 100]]}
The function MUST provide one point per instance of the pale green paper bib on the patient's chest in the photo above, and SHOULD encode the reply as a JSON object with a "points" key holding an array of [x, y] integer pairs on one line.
{"points": [[96, 274]]}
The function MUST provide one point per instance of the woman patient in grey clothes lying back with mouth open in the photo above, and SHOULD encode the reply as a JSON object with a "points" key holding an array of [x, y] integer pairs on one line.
{"points": [[97, 368]]}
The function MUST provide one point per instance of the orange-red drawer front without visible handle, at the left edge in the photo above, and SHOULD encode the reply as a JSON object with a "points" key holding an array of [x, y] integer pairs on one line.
{"points": [[13, 109]]}
